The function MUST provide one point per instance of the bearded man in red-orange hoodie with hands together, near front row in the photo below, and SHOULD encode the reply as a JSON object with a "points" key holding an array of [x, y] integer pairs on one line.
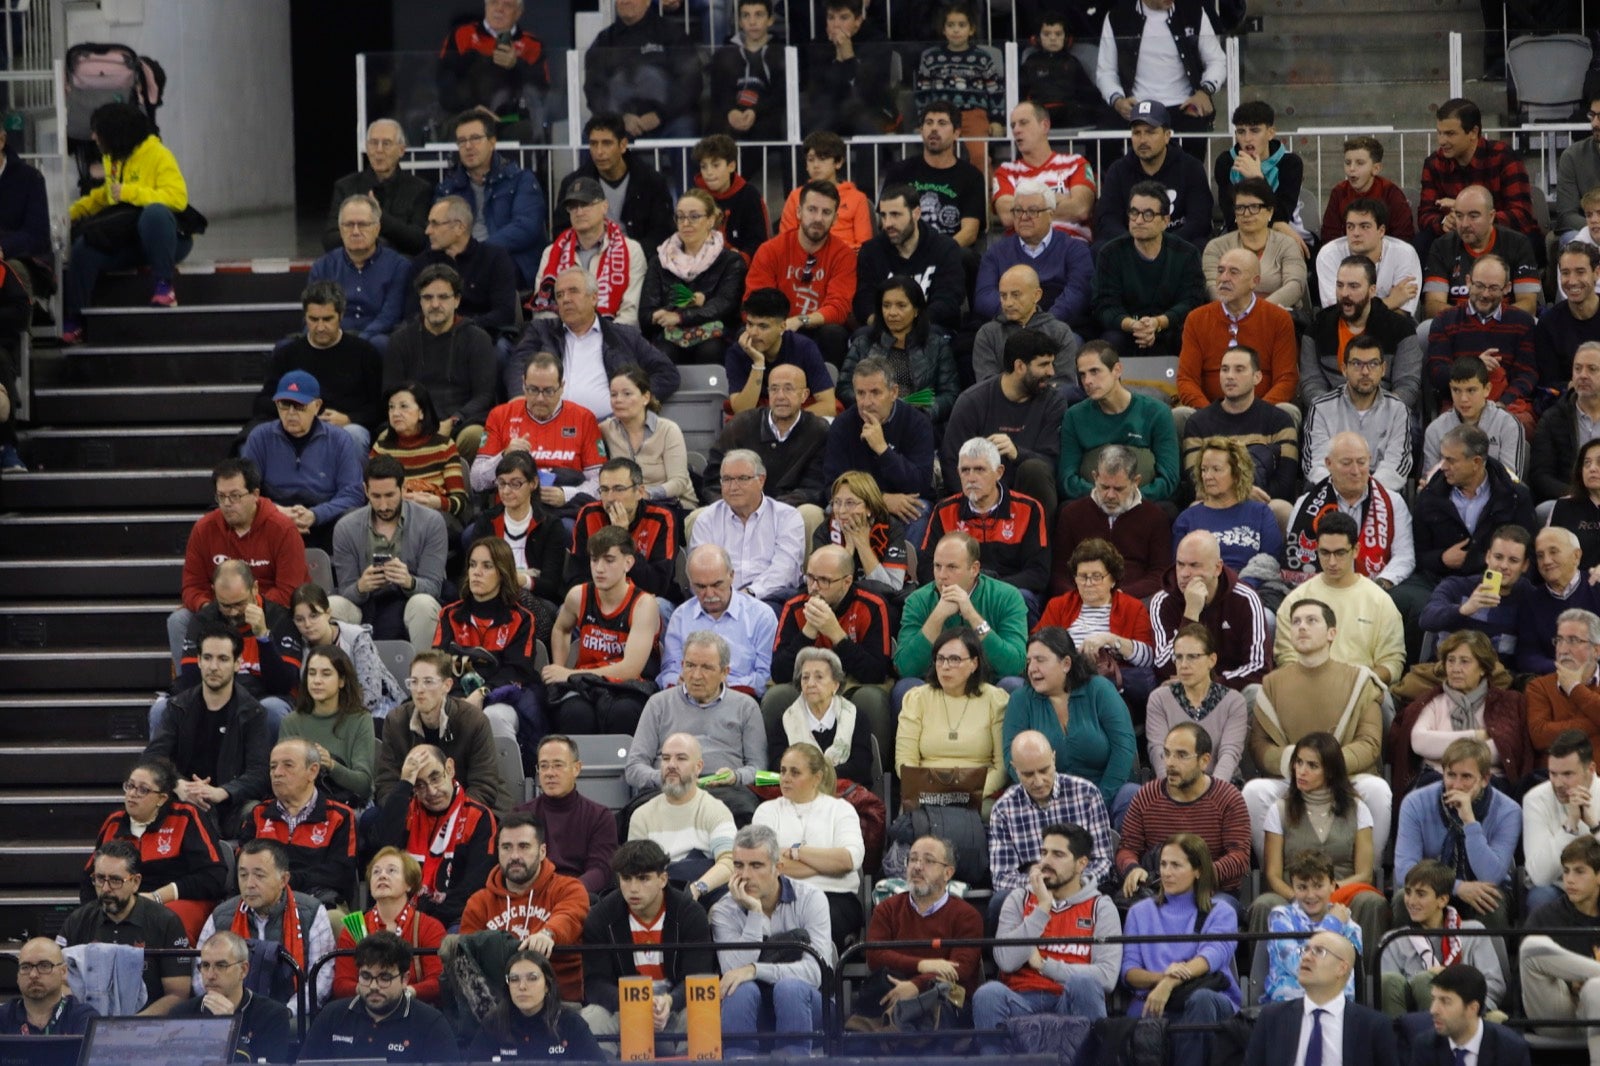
{"points": [[527, 899]]}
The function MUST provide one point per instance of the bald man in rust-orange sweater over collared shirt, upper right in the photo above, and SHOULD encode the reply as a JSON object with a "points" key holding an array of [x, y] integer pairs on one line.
{"points": [[1236, 318]]}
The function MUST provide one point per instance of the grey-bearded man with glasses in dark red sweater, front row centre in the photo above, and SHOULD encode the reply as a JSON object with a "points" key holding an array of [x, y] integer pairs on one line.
{"points": [[926, 912]]}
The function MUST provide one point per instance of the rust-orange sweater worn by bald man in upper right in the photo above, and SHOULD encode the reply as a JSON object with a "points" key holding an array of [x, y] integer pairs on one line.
{"points": [[1266, 329]]}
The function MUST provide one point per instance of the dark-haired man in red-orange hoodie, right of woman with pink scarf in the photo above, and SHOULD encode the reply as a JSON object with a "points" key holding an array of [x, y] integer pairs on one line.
{"points": [[815, 270]]}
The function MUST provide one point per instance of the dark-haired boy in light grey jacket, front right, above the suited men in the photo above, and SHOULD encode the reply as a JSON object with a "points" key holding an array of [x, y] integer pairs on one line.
{"points": [[1410, 963]]}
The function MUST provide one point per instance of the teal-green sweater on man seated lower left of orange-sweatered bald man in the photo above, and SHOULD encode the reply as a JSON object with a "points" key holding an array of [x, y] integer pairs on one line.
{"points": [[1146, 427]]}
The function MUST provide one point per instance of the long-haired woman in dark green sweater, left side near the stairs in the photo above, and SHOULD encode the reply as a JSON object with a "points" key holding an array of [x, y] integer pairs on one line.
{"points": [[329, 713]]}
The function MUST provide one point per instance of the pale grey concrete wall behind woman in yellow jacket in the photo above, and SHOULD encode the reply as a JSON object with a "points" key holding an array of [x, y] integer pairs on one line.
{"points": [[230, 103]]}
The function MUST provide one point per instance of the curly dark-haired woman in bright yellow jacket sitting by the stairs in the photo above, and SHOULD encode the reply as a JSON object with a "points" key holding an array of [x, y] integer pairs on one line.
{"points": [[143, 174]]}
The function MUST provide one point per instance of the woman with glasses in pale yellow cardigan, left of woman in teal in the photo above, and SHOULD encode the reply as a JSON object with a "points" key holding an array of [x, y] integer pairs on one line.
{"points": [[956, 718]]}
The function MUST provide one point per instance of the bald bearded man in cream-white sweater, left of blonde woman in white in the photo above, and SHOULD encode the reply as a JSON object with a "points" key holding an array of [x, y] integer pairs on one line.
{"points": [[690, 825]]}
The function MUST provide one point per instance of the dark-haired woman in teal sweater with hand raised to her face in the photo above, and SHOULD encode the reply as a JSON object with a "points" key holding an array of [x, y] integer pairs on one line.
{"points": [[1081, 715]]}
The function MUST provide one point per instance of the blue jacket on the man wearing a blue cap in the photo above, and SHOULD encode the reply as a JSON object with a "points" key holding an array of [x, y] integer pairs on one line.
{"points": [[324, 475]]}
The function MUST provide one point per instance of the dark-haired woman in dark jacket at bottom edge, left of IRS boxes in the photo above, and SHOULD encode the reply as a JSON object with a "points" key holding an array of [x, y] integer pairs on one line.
{"points": [[530, 1022]]}
